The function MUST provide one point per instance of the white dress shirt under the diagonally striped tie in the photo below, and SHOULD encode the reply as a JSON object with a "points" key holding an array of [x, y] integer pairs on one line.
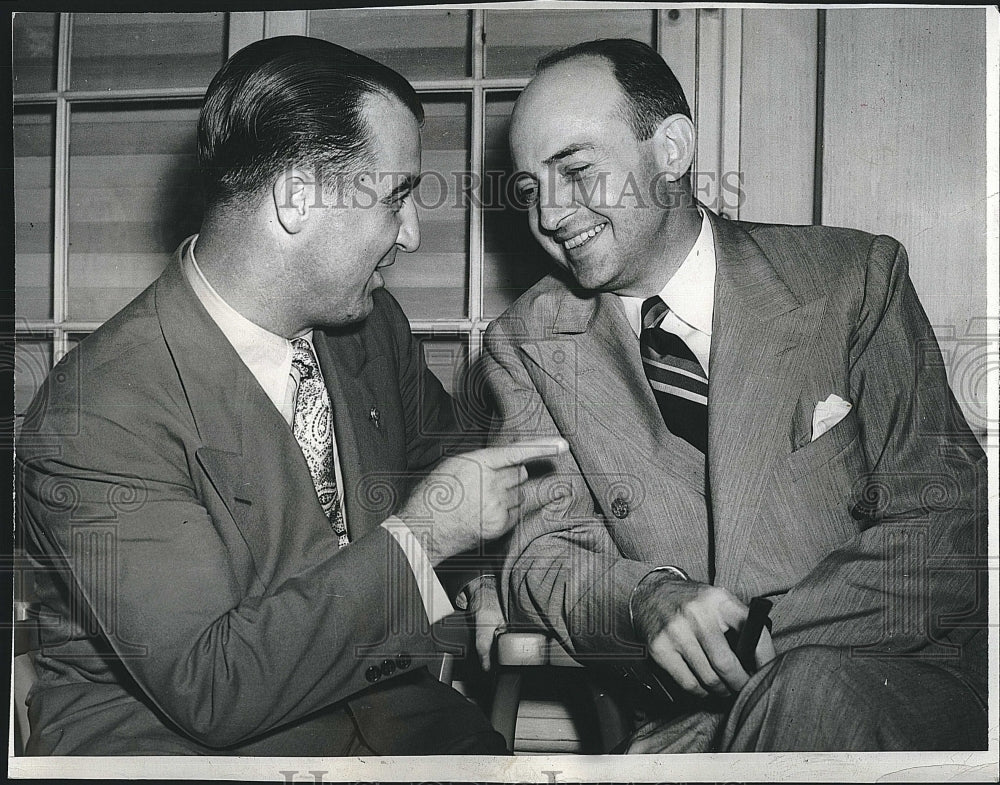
{"points": [[690, 296]]}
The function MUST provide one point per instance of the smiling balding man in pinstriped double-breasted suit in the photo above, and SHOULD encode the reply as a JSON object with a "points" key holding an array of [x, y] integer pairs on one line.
{"points": [[752, 411]]}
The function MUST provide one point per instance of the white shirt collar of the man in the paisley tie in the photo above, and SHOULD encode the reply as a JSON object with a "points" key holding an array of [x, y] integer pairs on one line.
{"points": [[267, 355]]}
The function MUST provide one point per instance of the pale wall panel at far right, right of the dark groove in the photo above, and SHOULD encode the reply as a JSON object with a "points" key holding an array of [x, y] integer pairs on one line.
{"points": [[905, 155]]}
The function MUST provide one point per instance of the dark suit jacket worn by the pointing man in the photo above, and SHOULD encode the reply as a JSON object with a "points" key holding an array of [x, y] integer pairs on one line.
{"points": [[192, 593]]}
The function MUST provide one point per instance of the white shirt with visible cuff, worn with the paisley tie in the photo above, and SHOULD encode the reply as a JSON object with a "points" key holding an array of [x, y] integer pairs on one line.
{"points": [[268, 357]]}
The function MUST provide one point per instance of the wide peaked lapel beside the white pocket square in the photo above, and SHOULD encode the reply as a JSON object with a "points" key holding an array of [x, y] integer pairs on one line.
{"points": [[760, 341]]}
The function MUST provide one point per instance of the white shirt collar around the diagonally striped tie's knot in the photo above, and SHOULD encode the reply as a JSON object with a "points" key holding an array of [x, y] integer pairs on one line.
{"points": [[690, 292]]}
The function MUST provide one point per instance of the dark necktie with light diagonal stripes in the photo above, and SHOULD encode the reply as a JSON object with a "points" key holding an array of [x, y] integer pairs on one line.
{"points": [[680, 384]]}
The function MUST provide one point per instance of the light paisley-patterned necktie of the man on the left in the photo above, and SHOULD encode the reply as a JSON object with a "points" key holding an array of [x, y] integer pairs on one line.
{"points": [[312, 426]]}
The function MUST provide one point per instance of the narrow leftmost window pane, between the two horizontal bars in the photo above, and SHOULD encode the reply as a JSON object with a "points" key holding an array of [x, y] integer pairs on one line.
{"points": [[34, 146]]}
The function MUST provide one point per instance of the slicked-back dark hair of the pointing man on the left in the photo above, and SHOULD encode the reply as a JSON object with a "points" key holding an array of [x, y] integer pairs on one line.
{"points": [[289, 101]]}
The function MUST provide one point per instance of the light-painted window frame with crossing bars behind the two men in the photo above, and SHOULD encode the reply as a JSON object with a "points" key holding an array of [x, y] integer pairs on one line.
{"points": [[707, 44]]}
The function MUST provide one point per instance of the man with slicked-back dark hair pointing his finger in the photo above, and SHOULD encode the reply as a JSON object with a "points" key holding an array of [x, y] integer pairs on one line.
{"points": [[225, 488]]}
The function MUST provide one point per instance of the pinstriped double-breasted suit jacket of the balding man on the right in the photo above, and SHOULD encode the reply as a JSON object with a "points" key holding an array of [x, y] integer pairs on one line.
{"points": [[872, 535]]}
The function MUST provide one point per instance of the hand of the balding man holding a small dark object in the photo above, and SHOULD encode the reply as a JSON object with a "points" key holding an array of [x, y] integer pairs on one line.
{"points": [[683, 623]]}
